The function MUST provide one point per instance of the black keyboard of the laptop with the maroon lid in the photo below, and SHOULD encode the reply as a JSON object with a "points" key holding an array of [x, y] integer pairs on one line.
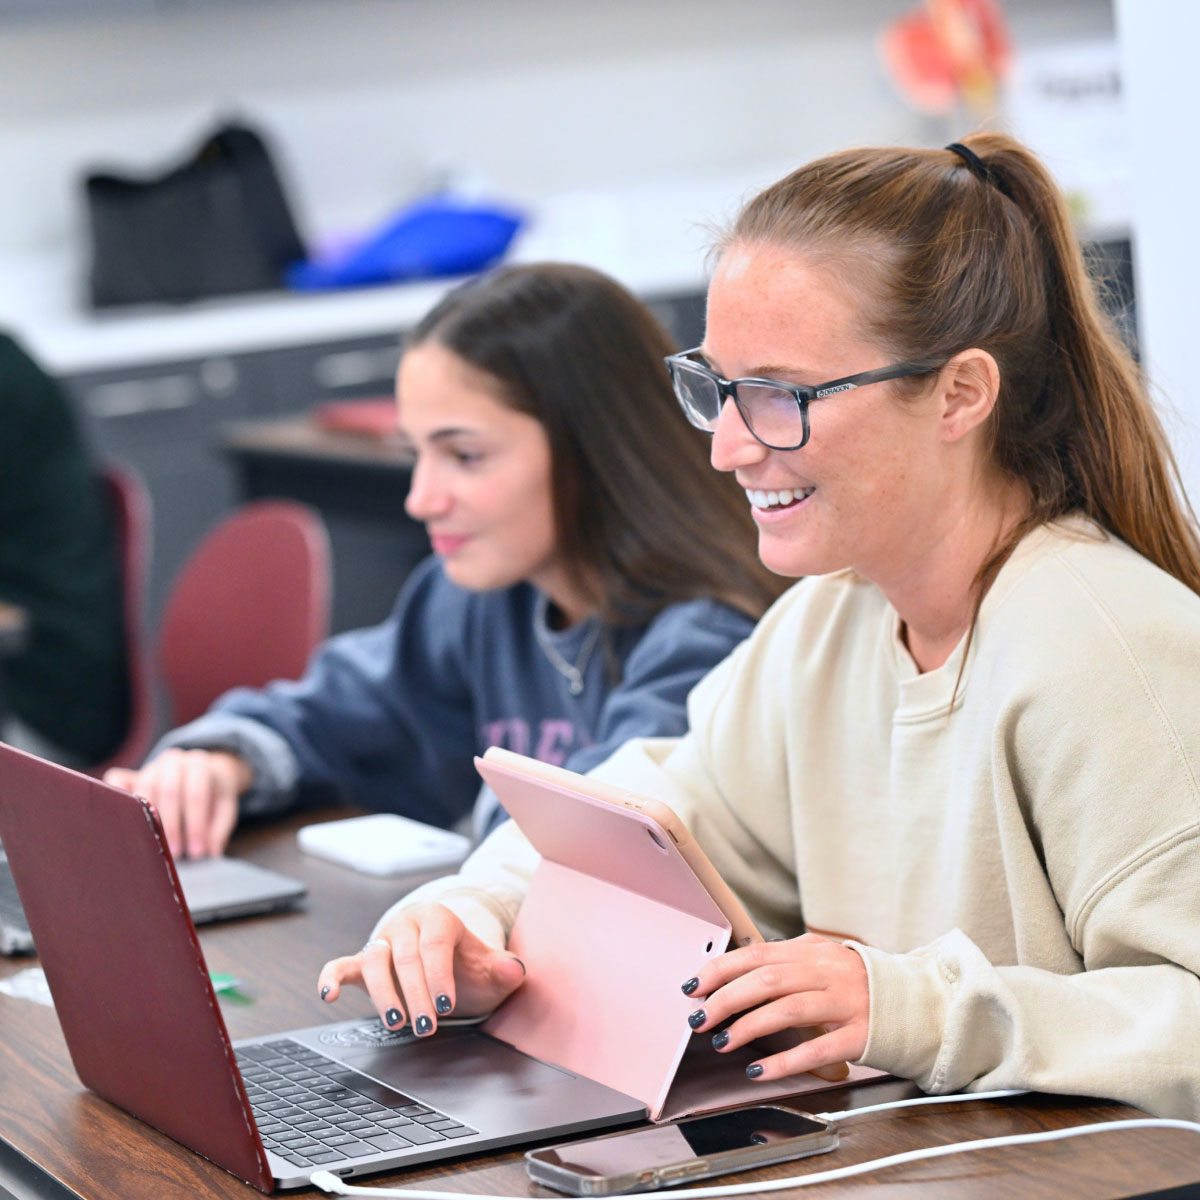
{"points": [[311, 1111]]}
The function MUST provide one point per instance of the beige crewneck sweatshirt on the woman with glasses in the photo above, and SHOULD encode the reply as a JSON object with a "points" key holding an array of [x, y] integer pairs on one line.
{"points": [[1022, 874]]}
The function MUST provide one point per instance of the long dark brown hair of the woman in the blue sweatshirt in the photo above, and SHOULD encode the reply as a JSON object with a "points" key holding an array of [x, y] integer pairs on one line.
{"points": [[637, 505]]}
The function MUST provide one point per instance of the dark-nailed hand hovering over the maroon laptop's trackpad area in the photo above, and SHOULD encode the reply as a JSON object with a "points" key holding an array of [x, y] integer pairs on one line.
{"points": [[424, 964]]}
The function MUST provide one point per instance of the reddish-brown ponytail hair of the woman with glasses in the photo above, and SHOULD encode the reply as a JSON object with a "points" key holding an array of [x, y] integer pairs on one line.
{"points": [[945, 259]]}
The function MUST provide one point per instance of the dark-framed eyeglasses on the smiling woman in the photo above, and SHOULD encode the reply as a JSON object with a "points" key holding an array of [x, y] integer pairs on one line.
{"points": [[776, 413]]}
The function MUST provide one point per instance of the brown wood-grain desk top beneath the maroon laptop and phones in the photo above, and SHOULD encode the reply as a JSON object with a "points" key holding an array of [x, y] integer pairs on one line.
{"points": [[64, 1143]]}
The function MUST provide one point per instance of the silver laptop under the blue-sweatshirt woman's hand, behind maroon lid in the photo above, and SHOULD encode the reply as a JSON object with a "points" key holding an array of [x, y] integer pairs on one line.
{"points": [[214, 889]]}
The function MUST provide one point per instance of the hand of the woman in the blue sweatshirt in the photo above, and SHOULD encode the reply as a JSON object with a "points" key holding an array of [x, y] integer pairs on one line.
{"points": [[196, 794]]}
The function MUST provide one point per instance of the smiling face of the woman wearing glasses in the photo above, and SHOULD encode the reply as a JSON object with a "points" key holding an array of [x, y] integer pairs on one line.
{"points": [[872, 479]]}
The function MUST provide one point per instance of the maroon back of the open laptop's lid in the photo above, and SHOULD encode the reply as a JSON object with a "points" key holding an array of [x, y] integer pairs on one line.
{"points": [[121, 955]]}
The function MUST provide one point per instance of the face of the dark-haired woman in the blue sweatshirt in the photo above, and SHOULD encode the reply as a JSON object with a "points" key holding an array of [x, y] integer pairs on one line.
{"points": [[482, 484]]}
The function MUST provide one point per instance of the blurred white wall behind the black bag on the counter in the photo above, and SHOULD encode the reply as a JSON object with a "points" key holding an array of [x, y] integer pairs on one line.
{"points": [[367, 98]]}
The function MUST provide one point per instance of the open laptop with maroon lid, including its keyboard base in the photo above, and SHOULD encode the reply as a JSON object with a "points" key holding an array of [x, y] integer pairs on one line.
{"points": [[349, 1099]]}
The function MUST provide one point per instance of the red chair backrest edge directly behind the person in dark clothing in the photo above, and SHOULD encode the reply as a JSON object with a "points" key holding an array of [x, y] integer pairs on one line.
{"points": [[133, 524]]}
